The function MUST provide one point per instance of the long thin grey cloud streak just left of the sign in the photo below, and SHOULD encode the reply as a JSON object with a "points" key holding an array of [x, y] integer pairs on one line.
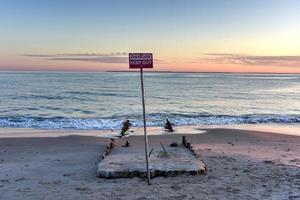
{"points": [[115, 57]]}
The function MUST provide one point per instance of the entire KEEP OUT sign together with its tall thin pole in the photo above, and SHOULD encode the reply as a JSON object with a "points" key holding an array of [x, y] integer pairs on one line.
{"points": [[142, 60]]}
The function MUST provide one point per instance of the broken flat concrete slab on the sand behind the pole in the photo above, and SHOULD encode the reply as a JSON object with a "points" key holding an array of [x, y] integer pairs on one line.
{"points": [[127, 162]]}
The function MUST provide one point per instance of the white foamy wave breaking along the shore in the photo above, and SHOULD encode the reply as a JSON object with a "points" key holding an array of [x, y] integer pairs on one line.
{"points": [[155, 119]]}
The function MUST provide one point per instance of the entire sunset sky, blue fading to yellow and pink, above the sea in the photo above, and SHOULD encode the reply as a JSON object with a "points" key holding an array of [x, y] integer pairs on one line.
{"points": [[183, 35]]}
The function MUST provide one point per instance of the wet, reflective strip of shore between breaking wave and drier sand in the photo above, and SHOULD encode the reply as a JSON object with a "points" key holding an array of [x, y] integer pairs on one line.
{"points": [[286, 129]]}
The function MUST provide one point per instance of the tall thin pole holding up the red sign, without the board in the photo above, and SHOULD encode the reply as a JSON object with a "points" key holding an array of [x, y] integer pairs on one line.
{"points": [[145, 130]]}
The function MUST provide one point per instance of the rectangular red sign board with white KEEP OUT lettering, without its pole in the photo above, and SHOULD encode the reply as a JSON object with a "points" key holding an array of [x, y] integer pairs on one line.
{"points": [[140, 60]]}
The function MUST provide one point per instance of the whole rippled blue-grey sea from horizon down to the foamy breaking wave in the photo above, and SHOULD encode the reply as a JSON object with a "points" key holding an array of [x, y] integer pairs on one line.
{"points": [[101, 101]]}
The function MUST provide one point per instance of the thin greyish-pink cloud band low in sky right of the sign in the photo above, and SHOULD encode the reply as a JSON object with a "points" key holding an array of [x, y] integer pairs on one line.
{"points": [[244, 59]]}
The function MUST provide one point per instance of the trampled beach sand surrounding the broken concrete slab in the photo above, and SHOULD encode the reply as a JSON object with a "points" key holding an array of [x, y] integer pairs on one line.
{"points": [[241, 165]]}
